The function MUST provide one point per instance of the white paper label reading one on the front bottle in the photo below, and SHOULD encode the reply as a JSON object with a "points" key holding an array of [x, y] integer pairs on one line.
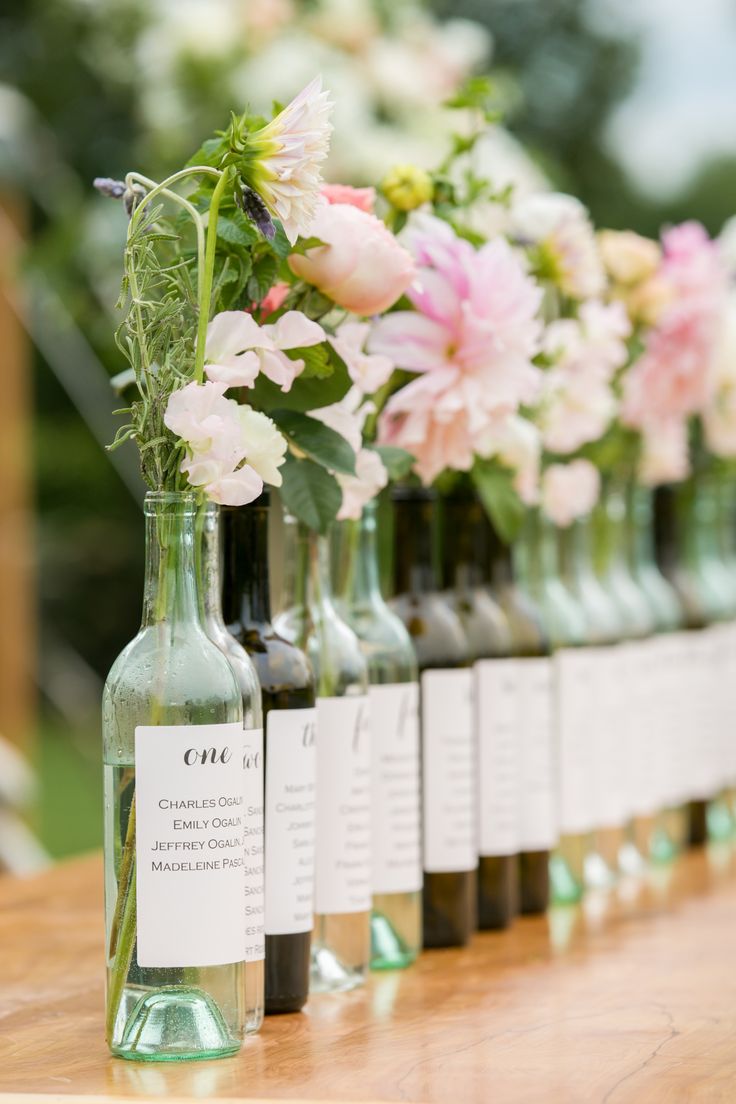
{"points": [[190, 836]]}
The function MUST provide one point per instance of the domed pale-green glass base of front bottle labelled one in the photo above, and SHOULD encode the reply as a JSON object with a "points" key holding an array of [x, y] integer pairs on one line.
{"points": [[176, 1024]]}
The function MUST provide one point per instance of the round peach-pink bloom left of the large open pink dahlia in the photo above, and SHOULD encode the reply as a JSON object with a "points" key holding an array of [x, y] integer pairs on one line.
{"points": [[361, 268]]}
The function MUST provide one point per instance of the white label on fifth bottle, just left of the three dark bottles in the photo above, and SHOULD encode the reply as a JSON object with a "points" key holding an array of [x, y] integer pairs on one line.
{"points": [[397, 814]]}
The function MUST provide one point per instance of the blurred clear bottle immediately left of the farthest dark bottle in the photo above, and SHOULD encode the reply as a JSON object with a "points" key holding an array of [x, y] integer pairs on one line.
{"points": [[670, 833]]}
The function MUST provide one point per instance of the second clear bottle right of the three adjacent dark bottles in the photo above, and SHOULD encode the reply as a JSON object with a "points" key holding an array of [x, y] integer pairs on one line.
{"points": [[604, 631]]}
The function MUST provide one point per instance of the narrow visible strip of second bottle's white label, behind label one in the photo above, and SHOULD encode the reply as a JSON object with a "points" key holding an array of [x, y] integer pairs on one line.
{"points": [[253, 767]]}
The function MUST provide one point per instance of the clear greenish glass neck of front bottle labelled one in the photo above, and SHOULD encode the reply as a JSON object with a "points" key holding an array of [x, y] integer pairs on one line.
{"points": [[170, 592]]}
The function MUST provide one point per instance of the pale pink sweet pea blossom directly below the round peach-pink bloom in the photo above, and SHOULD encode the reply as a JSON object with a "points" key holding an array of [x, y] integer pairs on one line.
{"points": [[238, 348]]}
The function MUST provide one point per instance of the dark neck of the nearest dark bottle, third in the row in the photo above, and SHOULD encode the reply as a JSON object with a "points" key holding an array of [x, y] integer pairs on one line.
{"points": [[247, 597]]}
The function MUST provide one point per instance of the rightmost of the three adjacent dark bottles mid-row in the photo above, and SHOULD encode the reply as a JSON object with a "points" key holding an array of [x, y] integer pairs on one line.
{"points": [[530, 646]]}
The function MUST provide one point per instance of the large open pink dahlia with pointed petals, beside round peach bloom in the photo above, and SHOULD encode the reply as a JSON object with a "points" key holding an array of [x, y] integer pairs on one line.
{"points": [[474, 335]]}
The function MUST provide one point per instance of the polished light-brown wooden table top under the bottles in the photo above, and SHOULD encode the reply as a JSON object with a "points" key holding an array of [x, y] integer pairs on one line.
{"points": [[632, 1001]]}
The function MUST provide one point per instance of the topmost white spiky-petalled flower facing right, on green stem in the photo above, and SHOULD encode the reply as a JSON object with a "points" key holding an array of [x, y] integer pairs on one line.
{"points": [[283, 160]]}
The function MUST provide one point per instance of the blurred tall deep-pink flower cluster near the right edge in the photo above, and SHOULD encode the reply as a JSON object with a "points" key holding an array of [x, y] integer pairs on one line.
{"points": [[674, 378]]}
